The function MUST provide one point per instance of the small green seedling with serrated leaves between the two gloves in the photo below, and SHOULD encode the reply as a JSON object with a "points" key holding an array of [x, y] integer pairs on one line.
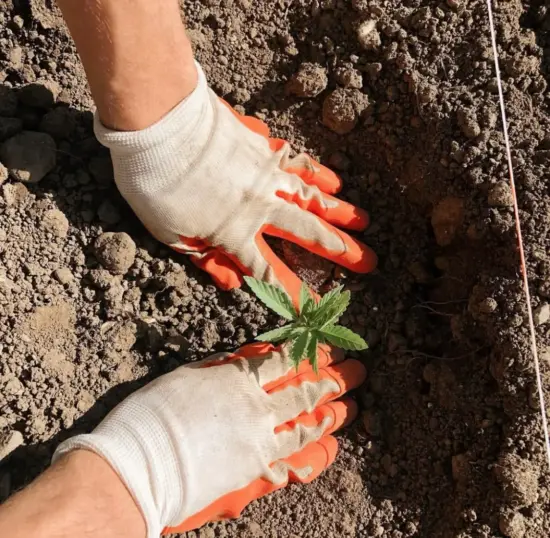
{"points": [[315, 323]]}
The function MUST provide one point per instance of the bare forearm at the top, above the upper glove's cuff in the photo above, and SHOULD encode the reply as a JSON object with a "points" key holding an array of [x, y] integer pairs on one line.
{"points": [[137, 57]]}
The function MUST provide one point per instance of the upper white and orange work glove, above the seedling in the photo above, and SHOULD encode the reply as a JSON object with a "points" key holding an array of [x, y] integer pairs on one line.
{"points": [[210, 183]]}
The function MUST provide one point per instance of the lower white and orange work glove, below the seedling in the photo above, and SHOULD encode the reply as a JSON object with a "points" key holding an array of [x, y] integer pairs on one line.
{"points": [[202, 442]]}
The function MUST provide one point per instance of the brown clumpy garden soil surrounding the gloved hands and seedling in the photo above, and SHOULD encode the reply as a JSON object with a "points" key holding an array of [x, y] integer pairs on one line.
{"points": [[400, 97]]}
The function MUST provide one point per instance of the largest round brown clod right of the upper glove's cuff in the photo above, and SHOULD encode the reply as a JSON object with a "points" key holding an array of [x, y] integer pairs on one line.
{"points": [[343, 108]]}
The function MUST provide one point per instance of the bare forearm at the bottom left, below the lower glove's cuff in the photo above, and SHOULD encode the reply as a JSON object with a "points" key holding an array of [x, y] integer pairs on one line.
{"points": [[80, 495]]}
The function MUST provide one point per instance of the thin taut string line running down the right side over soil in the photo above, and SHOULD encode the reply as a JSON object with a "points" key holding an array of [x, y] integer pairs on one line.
{"points": [[520, 237]]}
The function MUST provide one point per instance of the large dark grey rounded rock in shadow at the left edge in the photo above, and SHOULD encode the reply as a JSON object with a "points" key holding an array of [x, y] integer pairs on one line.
{"points": [[29, 156]]}
